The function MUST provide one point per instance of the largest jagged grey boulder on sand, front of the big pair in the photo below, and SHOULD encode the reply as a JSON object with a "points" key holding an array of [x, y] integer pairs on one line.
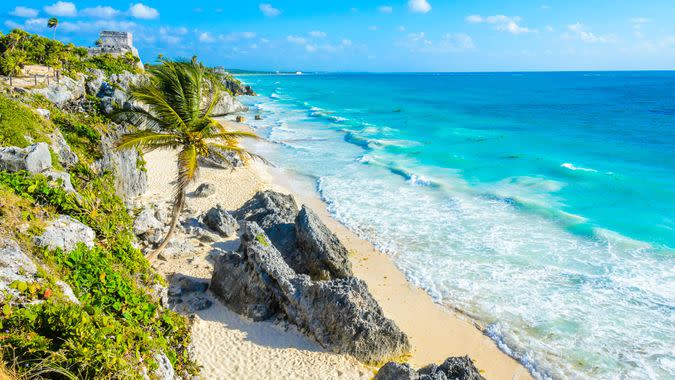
{"points": [[340, 314]]}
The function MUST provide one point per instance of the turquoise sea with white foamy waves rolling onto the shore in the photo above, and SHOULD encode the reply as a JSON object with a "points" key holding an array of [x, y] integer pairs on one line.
{"points": [[541, 204]]}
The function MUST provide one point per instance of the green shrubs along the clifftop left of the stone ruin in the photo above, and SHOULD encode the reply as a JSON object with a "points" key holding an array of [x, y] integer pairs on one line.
{"points": [[19, 48]]}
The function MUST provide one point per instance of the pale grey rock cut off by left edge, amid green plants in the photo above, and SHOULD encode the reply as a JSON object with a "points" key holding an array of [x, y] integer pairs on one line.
{"points": [[15, 265]]}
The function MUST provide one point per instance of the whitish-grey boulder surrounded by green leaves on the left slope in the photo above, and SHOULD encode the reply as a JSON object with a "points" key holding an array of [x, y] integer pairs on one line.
{"points": [[65, 233]]}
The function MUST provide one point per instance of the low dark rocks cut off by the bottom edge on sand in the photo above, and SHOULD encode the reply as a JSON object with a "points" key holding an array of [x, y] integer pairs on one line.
{"points": [[454, 368]]}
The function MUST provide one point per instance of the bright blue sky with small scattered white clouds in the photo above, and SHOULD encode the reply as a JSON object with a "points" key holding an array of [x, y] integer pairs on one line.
{"points": [[376, 36]]}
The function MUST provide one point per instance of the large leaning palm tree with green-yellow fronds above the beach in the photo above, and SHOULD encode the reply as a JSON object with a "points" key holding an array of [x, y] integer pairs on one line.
{"points": [[179, 100]]}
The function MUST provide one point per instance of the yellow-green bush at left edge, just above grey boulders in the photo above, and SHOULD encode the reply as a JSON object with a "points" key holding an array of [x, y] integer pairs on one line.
{"points": [[17, 122]]}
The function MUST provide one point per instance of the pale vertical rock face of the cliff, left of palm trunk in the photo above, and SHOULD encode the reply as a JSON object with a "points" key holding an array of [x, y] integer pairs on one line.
{"points": [[130, 180]]}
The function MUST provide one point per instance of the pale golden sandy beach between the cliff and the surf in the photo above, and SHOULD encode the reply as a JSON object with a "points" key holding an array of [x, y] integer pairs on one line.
{"points": [[228, 346]]}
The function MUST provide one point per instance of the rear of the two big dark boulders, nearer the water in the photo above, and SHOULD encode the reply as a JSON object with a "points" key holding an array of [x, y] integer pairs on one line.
{"points": [[307, 245]]}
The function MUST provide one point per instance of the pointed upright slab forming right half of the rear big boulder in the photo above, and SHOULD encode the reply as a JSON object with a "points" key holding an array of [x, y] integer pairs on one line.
{"points": [[321, 252]]}
